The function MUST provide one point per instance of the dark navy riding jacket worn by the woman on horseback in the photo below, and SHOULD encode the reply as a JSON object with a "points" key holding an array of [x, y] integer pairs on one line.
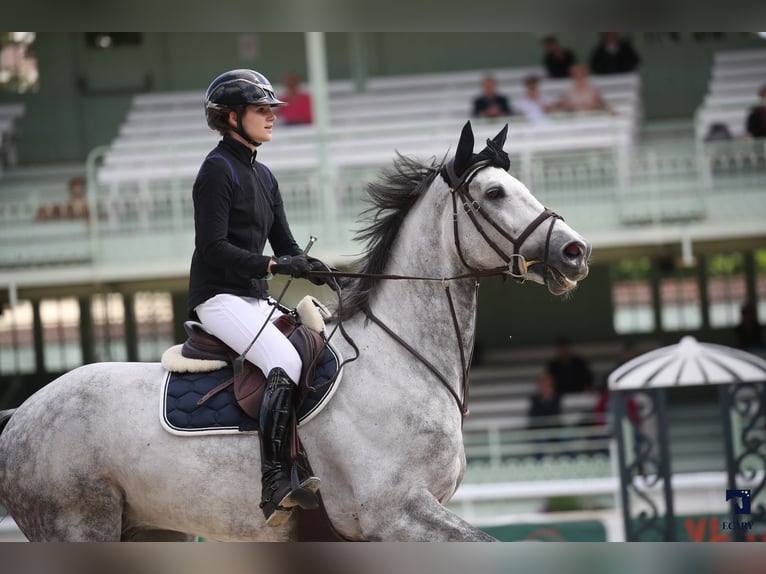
{"points": [[237, 207]]}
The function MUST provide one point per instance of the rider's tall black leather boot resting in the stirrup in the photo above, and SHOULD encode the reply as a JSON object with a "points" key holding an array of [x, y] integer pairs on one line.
{"points": [[278, 492]]}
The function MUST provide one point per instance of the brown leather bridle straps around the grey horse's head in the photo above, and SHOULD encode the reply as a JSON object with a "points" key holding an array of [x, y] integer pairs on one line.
{"points": [[516, 265]]}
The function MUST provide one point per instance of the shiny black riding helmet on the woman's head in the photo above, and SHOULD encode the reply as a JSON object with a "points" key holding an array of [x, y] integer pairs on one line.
{"points": [[232, 91]]}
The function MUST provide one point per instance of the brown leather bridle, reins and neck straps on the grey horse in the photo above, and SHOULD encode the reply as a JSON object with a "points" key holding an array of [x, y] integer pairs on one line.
{"points": [[516, 265]]}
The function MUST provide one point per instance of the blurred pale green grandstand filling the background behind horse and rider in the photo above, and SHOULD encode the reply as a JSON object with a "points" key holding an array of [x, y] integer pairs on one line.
{"points": [[637, 186]]}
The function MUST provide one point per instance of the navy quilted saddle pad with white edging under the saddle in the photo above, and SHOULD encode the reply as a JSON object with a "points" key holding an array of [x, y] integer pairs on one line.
{"points": [[221, 413]]}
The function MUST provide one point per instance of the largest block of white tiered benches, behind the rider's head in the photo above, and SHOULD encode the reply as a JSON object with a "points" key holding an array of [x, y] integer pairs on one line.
{"points": [[162, 137]]}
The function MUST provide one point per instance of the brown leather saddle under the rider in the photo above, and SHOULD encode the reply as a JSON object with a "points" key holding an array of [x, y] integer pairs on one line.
{"points": [[250, 382]]}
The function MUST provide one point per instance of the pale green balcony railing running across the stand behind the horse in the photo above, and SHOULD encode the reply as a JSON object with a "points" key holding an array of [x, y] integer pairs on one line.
{"points": [[613, 190]]}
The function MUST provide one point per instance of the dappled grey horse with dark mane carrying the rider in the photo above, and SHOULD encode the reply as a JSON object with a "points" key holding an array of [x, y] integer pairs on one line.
{"points": [[85, 458]]}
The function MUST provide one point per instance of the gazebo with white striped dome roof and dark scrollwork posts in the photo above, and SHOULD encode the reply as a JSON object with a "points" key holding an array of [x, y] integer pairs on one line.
{"points": [[644, 456]]}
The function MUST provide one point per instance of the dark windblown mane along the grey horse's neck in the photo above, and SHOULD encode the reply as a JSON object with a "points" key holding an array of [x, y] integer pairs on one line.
{"points": [[391, 198]]}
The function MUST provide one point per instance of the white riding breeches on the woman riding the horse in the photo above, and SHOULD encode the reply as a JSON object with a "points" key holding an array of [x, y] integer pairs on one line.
{"points": [[235, 320]]}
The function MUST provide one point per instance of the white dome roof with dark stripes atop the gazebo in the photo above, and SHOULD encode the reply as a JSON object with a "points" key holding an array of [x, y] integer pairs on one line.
{"points": [[688, 363]]}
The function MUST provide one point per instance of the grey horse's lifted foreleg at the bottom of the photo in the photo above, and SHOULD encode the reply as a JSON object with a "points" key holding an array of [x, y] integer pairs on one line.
{"points": [[417, 517]]}
